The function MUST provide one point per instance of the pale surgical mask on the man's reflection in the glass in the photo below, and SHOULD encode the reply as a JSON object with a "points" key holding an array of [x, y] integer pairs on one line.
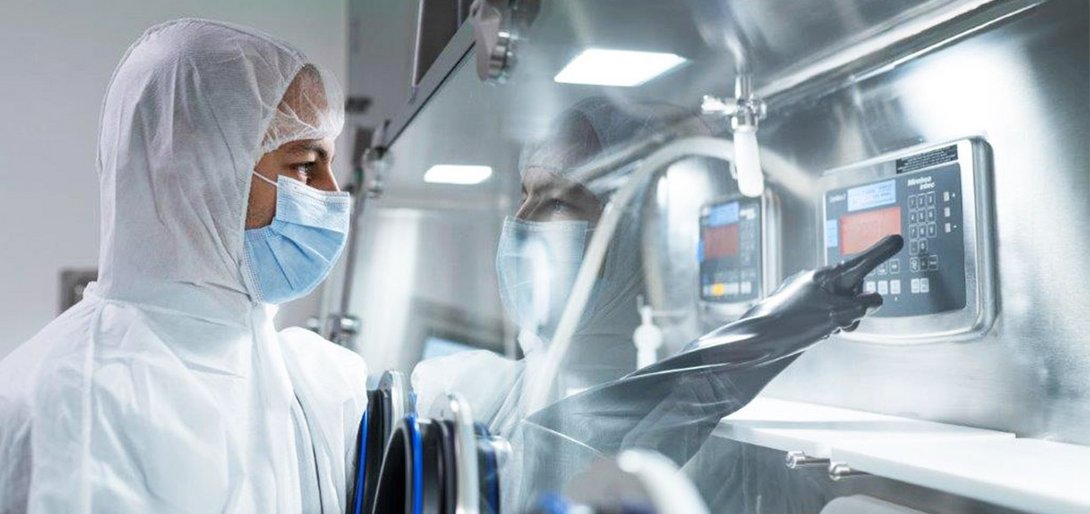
{"points": [[537, 264]]}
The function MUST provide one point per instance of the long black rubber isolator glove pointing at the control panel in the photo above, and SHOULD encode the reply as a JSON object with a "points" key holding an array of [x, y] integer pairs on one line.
{"points": [[672, 406]]}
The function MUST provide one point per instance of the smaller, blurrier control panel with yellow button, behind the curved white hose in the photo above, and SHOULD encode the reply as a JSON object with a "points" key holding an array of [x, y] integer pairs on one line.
{"points": [[737, 254]]}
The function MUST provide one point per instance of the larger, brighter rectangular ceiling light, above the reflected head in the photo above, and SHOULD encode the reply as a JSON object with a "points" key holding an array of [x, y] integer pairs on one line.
{"points": [[616, 68]]}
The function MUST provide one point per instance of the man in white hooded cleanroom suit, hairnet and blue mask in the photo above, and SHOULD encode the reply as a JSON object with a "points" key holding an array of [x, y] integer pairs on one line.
{"points": [[167, 388]]}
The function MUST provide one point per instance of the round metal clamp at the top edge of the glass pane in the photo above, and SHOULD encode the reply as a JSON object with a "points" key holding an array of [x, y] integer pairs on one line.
{"points": [[498, 27]]}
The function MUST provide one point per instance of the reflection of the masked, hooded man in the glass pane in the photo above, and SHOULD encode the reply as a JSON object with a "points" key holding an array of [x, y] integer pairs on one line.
{"points": [[540, 253]]}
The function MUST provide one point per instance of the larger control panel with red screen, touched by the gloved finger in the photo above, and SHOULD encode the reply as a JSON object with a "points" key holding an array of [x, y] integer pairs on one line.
{"points": [[940, 286]]}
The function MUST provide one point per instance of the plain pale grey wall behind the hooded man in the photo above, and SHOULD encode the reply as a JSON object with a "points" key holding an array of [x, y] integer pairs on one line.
{"points": [[56, 59]]}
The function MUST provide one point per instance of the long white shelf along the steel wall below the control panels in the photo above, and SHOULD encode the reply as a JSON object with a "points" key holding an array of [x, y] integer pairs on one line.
{"points": [[988, 466]]}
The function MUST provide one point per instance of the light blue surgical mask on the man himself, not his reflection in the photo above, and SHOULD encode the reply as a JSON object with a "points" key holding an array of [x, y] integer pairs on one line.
{"points": [[292, 256]]}
